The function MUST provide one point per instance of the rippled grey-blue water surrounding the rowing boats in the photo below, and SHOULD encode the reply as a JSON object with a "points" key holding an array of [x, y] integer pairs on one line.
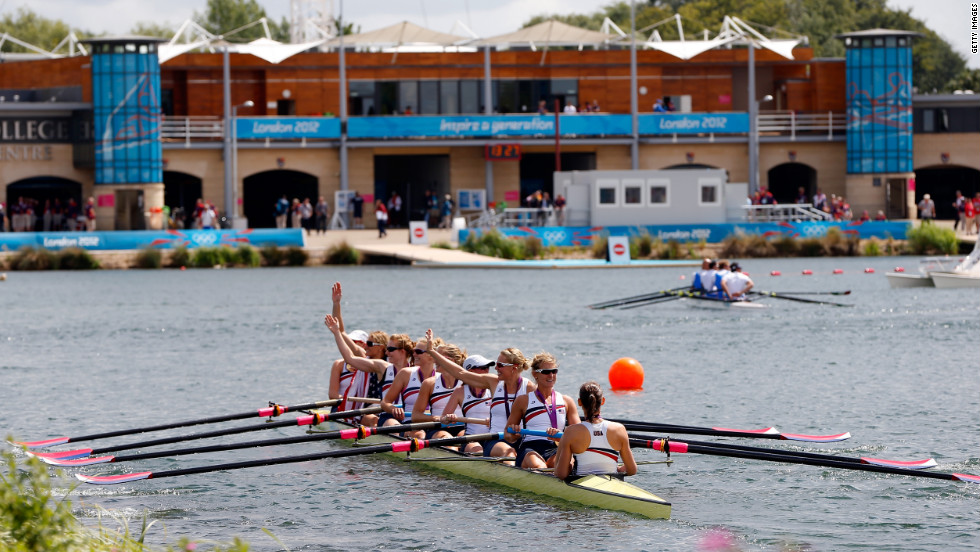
{"points": [[82, 353]]}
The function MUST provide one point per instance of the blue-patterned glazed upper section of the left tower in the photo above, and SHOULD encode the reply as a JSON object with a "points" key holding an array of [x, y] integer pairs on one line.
{"points": [[126, 110]]}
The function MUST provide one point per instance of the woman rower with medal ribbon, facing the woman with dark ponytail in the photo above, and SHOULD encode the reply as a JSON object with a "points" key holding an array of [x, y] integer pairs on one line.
{"points": [[544, 410]]}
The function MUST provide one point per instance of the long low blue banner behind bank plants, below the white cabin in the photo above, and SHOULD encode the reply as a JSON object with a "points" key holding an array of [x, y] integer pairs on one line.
{"points": [[565, 236]]}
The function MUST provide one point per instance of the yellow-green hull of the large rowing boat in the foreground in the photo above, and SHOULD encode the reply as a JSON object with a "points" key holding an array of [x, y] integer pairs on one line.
{"points": [[598, 491]]}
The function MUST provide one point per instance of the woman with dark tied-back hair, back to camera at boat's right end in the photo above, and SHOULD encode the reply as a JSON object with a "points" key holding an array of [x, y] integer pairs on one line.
{"points": [[597, 444]]}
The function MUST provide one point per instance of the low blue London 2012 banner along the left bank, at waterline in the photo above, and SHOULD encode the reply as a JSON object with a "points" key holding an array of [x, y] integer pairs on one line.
{"points": [[168, 239]]}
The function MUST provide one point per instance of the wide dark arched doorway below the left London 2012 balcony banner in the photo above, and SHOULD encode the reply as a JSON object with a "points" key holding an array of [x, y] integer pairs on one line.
{"points": [[262, 190]]}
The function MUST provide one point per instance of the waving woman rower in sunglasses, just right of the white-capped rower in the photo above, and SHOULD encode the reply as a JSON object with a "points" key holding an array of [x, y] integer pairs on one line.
{"points": [[507, 384]]}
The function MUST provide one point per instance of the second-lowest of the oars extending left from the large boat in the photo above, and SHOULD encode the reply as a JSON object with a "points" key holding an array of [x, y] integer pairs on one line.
{"points": [[360, 432]]}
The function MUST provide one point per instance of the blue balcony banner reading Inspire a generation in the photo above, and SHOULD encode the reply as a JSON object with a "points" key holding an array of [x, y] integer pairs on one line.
{"points": [[486, 126]]}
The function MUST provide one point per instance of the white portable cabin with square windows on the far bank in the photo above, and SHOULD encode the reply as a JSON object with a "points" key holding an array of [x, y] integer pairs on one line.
{"points": [[633, 198]]}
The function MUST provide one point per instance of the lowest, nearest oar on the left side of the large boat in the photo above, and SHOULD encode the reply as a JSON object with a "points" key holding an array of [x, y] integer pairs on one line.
{"points": [[410, 445]]}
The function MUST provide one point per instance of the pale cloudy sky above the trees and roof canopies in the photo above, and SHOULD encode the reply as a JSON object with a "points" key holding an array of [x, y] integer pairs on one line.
{"points": [[949, 18]]}
